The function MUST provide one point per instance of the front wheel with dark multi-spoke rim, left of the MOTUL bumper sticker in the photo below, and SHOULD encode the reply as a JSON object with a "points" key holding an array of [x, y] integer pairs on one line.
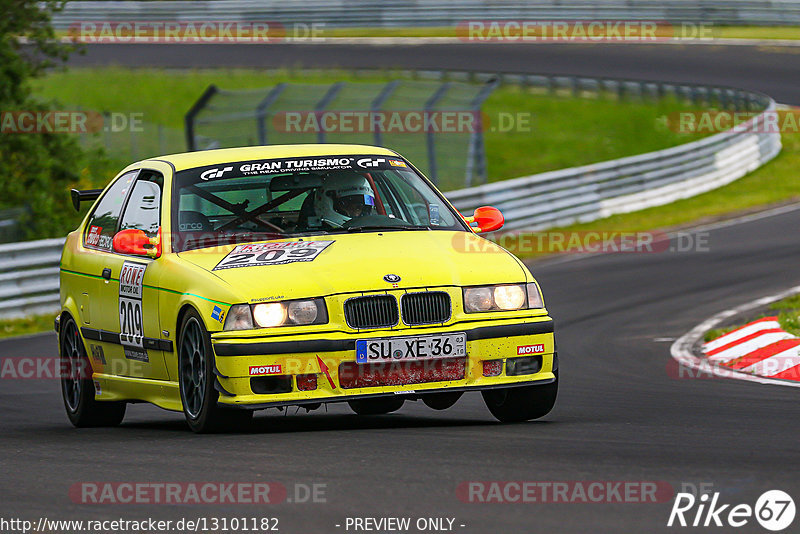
{"points": [[196, 381]]}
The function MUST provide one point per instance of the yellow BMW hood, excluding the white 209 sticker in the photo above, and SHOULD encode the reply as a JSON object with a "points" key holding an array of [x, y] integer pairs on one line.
{"points": [[358, 262]]}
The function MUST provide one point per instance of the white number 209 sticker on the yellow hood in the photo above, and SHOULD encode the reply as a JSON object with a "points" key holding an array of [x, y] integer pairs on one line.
{"points": [[272, 254]]}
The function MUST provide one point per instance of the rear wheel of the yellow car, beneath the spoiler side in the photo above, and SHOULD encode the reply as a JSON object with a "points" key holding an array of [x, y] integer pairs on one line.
{"points": [[77, 388]]}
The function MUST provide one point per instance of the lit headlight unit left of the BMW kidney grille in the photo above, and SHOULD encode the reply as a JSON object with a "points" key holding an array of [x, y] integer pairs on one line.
{"points": [[272, 314]]}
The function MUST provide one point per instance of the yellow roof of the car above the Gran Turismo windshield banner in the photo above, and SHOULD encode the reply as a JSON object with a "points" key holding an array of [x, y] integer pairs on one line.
{"points": [[201, 158]]}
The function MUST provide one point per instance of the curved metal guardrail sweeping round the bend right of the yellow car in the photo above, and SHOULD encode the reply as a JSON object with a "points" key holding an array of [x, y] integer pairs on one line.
{"points": [[591, 192]]}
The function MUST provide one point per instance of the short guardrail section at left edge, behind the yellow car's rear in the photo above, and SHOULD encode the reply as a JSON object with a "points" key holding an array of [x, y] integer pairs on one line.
{"points": [[29, 277]]}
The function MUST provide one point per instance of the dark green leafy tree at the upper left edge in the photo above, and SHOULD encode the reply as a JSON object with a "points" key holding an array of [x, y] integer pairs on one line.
{"points": [[37, 168]]}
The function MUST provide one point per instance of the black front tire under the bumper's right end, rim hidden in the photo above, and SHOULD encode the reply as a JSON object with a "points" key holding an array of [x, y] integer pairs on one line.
{"points": [[514, 405]]}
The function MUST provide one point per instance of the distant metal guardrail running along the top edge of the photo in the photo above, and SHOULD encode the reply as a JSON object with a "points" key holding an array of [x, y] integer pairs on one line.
{"points": [[400, 13]]}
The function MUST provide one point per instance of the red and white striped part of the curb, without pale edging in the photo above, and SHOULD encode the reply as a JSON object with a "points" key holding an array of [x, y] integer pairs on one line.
{"points": [[760, 348]]}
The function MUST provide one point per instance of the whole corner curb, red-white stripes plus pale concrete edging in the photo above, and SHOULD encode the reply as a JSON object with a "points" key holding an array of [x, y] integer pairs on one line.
{"points": [[757, 352]]}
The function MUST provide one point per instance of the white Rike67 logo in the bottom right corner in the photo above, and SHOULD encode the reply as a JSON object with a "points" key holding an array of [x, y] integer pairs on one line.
{"points": [[774, 510]]}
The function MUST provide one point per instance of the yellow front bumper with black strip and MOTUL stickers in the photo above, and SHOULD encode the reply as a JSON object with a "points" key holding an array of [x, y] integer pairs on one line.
{"points": [[327, 355]]}
